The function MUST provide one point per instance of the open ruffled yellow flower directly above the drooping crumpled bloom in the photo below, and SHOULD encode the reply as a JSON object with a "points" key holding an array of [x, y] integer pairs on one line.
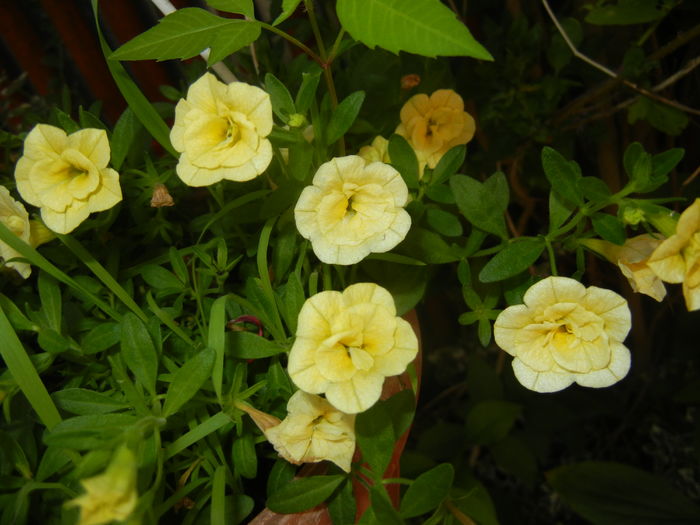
{"points": [[347, 343]]}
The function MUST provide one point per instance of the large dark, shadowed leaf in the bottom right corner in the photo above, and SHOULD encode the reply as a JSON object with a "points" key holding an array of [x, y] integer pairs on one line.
{"points": [[608, 493]]}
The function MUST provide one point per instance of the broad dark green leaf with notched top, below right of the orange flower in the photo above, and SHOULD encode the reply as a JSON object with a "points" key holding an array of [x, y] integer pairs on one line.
{"points": [[483, 204]]}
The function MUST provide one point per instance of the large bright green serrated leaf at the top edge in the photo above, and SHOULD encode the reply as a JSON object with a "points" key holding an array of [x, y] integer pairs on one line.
{"points": [[424, 27]]}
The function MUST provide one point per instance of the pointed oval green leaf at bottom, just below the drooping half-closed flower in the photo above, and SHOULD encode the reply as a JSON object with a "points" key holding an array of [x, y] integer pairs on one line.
{"points": [[303, 493]]}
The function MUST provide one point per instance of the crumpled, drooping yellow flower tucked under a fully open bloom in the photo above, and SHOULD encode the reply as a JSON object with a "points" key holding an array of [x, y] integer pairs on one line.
{"points": [[313, 431]]}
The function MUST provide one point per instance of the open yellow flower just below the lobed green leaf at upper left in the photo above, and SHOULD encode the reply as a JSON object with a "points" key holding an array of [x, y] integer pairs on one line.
{"points": [[220, 130]]}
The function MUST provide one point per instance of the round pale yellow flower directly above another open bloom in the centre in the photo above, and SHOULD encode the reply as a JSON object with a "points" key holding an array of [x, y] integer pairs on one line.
{"points": [[353, 209]]}
